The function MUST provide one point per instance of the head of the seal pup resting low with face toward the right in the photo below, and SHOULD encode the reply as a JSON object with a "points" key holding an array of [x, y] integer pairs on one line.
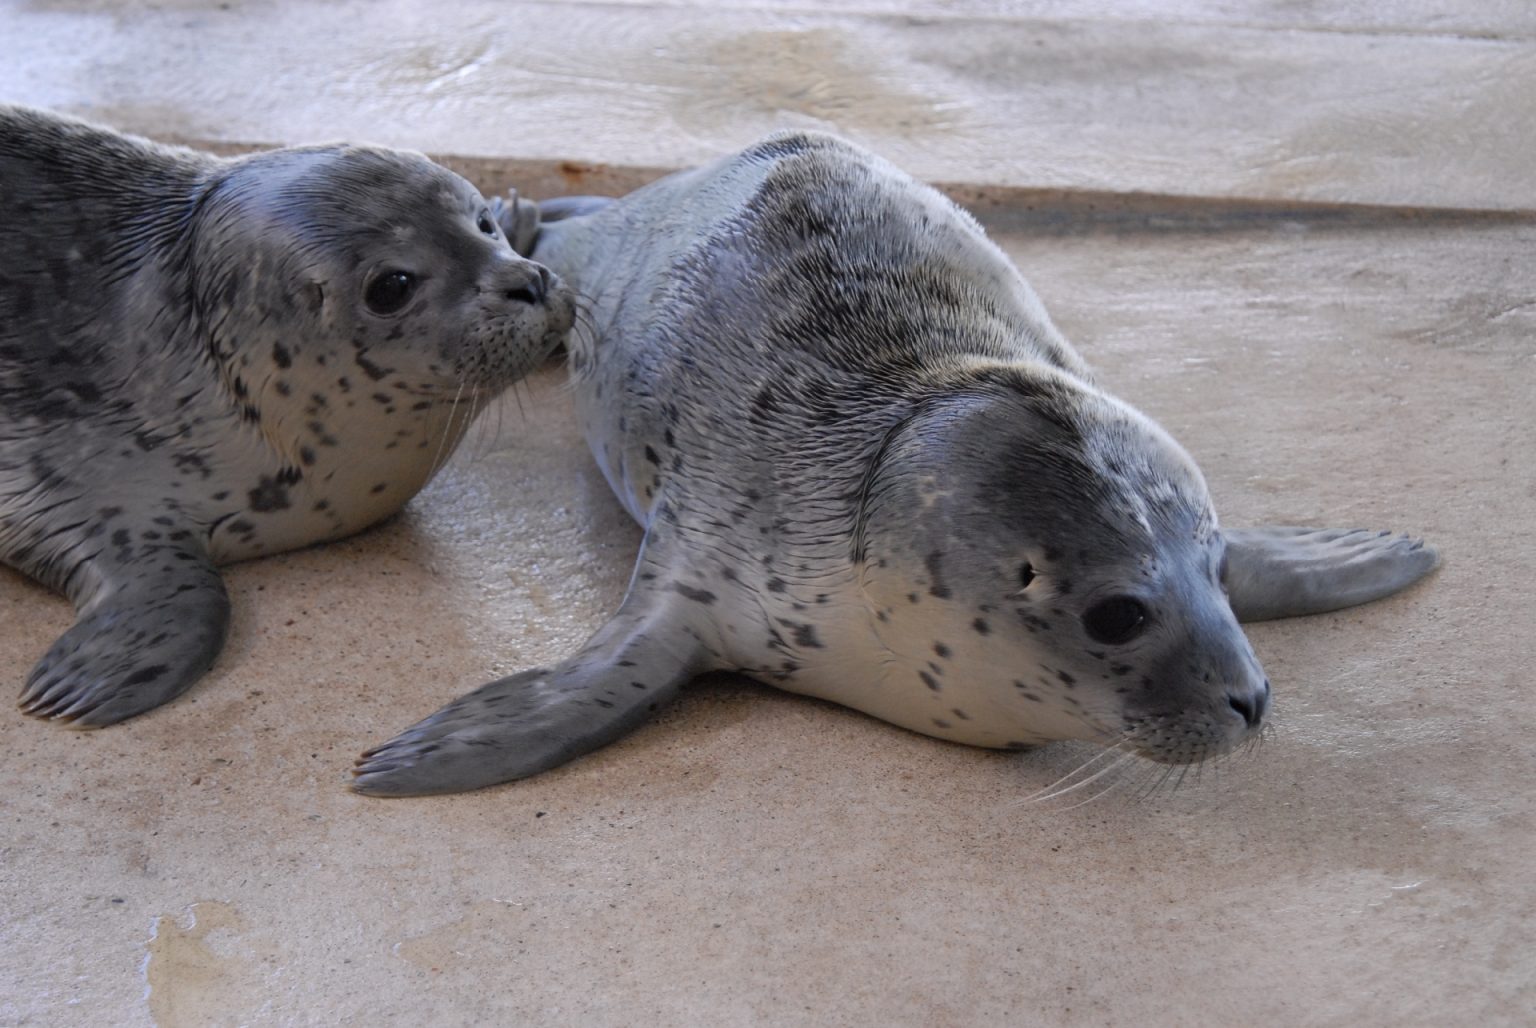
{"points": [[1045, 565]]}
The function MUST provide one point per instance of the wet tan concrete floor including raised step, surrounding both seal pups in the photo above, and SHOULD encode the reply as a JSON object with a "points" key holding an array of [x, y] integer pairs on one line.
{"points": [[758, 858]]}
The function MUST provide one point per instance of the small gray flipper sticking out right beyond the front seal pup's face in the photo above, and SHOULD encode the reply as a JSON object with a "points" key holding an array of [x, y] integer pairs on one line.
{"points": [[1283, 572]]}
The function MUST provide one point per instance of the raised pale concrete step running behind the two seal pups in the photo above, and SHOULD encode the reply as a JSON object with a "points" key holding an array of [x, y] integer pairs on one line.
{"points": [[1346, 104]]}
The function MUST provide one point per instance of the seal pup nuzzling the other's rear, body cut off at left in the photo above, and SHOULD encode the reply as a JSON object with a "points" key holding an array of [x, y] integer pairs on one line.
{"points": [[207, 360]]}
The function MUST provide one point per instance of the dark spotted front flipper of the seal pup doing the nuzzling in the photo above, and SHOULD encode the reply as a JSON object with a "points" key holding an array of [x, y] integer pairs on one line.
{"points": [[150, 626]]}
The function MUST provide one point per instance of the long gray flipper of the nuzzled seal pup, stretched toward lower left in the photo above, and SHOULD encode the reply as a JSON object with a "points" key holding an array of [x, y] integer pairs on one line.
{"points": [[538, 720]]}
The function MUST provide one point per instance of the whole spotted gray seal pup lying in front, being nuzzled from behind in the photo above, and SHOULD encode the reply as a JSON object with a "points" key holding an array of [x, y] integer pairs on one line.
{"points": [[870, 469]]}
